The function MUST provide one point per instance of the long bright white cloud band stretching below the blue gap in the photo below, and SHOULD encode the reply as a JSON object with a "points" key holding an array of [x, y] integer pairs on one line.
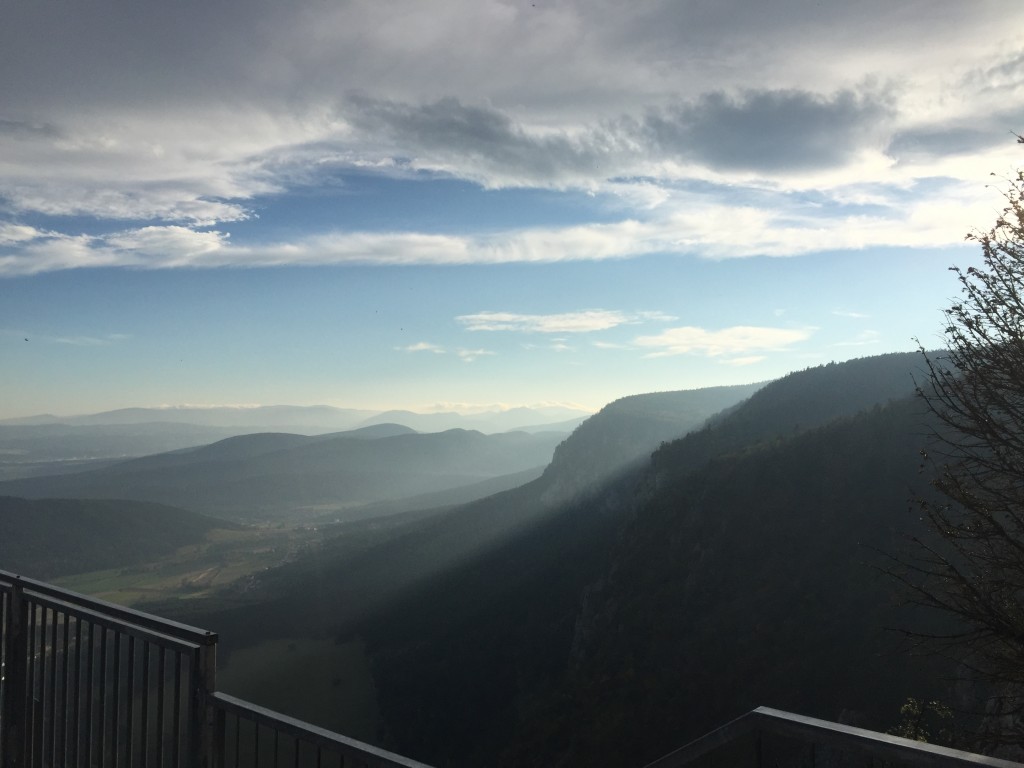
{"points": [[688, 225]]}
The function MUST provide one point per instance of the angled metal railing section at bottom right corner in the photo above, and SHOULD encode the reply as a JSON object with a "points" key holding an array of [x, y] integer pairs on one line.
{"points": [[781, 740]]}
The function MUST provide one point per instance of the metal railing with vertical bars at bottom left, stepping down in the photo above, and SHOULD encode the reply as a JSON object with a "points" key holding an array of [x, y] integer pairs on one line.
{"points": [[89, 684]]}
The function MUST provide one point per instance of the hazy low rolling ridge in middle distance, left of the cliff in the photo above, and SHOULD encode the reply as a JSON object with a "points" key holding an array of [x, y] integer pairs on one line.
{"points": [[269, 476]]}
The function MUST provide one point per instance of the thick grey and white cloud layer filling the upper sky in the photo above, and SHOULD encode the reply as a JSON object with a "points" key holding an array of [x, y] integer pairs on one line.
{"points": [[708, 122]]}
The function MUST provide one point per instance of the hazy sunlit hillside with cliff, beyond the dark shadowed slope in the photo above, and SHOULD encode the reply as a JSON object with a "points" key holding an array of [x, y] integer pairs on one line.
{"points": [[363, 568]]}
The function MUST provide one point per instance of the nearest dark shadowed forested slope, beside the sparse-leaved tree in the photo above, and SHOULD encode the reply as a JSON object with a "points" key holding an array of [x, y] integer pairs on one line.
{"points": [[748, 582]]}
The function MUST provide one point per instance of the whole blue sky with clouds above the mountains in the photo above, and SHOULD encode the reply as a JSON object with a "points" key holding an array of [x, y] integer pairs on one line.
{"points": [[477, 204]]}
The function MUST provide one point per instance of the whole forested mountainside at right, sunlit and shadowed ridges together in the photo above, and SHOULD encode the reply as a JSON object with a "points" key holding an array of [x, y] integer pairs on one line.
{"points": [[605, 618]]}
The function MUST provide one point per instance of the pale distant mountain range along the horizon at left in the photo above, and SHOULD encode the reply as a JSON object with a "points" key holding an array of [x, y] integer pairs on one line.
{"points": [[49, 445]]}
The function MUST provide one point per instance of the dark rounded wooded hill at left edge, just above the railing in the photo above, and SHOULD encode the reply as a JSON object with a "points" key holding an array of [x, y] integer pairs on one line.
{"points": [[47, 538]]}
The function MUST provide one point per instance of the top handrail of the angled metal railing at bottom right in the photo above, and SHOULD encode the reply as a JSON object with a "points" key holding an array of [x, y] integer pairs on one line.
{"points": [[829, 735]]}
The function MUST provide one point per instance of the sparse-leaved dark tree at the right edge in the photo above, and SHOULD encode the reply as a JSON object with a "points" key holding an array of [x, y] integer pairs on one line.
{"points": [[974, 568]]}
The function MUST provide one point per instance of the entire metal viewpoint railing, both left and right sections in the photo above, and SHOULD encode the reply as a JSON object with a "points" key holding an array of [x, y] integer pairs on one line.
{"points": [[88, 684]]}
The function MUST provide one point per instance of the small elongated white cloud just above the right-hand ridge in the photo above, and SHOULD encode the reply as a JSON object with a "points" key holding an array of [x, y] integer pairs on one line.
{"points": [[739, 340]]}
